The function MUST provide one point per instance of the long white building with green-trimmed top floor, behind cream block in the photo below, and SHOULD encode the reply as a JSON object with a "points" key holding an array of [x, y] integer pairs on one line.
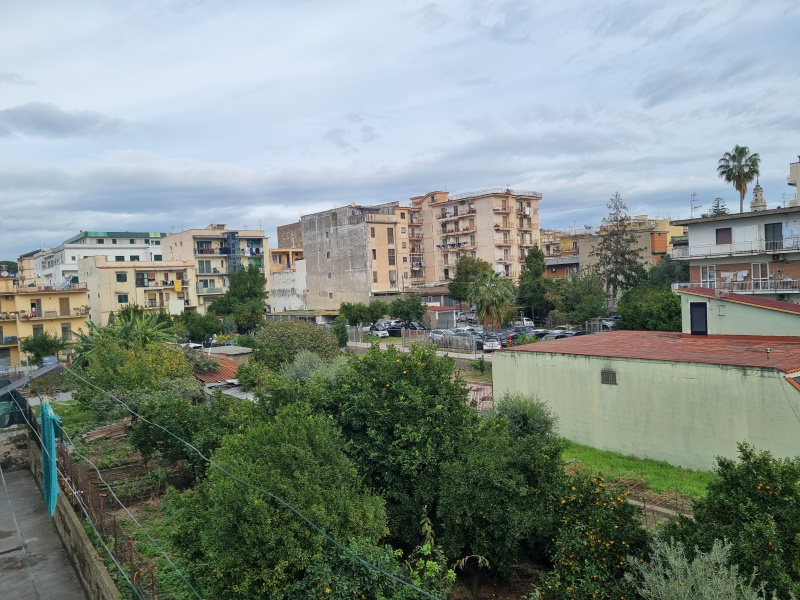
{"points": [[55, 266]]}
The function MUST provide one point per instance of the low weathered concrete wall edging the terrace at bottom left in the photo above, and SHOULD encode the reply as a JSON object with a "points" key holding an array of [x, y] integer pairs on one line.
{"points": [[91, 570]]}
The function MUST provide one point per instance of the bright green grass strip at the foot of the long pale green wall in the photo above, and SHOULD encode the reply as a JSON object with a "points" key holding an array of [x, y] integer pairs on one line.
{"points": [[659, 475]]}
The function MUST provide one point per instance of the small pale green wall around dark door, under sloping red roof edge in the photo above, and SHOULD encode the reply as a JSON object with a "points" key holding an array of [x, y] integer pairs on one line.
{"points": [[730, 318]]}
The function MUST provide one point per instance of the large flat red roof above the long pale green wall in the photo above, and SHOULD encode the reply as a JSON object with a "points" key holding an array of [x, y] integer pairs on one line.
{"points": [[743, 351]]}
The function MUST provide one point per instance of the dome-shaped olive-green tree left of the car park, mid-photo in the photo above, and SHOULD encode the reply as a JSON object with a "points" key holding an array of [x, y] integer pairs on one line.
{"points": [[279, 340]]}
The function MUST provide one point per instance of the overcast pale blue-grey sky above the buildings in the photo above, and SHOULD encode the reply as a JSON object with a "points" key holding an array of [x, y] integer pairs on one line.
{"points": [[173, 114]]}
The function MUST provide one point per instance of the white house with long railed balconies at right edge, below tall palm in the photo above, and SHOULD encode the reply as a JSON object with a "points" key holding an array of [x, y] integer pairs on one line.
{"points": [[755, 252]]}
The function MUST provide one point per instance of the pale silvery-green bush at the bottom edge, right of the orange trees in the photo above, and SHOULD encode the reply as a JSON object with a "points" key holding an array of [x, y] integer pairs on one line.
{"points": [[670, 575]]}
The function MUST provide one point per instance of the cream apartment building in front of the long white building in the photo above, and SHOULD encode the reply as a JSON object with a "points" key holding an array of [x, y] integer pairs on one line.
{"points": [[155, 286]]}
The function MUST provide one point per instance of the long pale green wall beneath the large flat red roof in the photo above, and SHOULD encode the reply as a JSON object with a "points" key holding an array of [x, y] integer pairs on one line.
{"points": [[683, 413]]}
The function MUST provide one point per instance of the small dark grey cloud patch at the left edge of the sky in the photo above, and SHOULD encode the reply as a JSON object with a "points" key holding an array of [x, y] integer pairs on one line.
{"points": [[40, 119]]}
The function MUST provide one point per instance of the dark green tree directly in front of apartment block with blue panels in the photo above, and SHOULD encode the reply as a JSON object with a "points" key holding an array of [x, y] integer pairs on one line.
{"points": [[245, 299]]}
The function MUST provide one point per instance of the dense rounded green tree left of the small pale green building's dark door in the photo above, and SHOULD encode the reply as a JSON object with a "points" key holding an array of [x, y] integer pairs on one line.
{"points": [[648, 308]]}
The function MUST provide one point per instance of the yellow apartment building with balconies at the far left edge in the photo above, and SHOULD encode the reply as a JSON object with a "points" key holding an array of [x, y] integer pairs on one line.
{"points": [[26, 311]]}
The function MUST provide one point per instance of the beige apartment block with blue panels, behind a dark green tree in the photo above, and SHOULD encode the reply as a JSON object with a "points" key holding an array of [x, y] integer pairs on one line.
{"points": [[217, 252]]}
